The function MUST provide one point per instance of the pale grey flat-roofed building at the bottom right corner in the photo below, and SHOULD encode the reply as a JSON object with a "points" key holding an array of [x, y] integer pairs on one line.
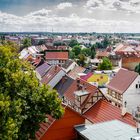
{"points": [[111, 130]]}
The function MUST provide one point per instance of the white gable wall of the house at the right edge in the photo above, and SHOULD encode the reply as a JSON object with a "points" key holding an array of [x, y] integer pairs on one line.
{"points": [[132, 96]]}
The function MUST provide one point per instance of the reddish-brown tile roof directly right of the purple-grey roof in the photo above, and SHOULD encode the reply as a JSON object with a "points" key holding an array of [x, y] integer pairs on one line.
{"points": [[50, 74]]}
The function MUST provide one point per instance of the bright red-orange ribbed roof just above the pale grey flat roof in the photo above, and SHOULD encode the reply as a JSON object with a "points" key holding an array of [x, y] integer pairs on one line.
{"points": [[104, 111]]}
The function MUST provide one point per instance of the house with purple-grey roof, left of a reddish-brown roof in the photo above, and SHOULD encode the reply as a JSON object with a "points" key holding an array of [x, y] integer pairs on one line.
{"points": [[41, 70]]}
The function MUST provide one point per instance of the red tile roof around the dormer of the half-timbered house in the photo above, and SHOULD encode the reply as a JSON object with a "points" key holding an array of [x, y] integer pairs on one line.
{"points": [[69, 94]]}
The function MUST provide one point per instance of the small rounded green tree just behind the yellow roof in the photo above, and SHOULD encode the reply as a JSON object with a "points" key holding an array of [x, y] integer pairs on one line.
{"points": [[105, 65]]}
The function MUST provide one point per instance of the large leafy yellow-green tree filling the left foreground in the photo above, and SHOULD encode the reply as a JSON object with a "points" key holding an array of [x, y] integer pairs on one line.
{"points": [[23, 102]]}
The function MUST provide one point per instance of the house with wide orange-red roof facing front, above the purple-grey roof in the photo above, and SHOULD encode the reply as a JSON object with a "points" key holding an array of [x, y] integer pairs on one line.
{"points": [[56, 58]]}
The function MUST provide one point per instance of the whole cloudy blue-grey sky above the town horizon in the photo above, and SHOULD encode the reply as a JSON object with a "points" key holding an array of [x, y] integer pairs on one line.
{"points": [[70, 15]]}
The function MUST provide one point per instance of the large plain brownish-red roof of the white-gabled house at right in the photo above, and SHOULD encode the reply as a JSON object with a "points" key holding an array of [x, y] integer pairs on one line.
{"points": [[123, 79]]}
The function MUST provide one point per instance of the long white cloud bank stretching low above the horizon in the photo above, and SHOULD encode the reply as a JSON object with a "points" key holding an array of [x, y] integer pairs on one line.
{"points": [[45, 20]]}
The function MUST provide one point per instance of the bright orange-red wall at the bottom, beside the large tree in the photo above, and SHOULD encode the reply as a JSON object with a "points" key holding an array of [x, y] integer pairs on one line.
{"points": [[63, 129]]}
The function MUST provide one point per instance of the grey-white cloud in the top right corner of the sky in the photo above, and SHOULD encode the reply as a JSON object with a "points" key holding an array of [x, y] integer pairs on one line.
{"points": [[122, 5]]}
